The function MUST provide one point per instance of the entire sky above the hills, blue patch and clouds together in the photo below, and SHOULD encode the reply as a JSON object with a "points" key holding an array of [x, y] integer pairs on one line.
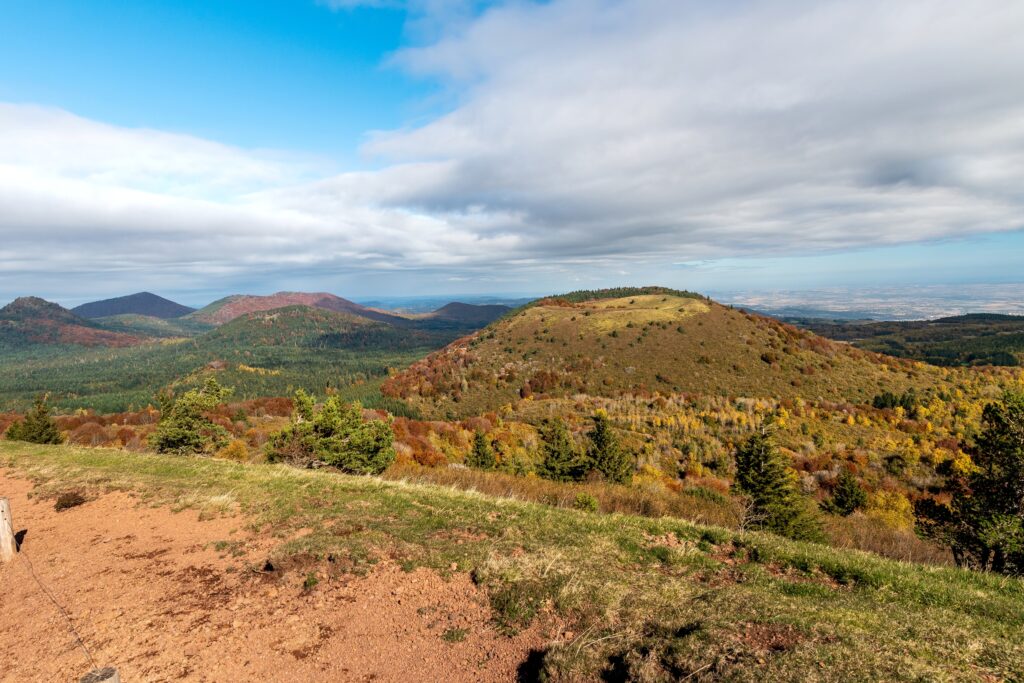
{"points": [[388, 148]]}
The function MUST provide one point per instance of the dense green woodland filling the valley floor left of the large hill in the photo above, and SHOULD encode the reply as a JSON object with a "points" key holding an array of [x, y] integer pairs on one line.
{"points": [[261, 355]]}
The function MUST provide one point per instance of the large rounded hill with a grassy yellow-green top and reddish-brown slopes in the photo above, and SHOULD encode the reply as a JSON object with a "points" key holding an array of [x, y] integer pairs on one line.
{"points": [[670, 344]]}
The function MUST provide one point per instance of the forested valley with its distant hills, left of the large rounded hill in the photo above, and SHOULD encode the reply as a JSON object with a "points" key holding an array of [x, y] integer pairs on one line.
{"points": [[263, 347]]}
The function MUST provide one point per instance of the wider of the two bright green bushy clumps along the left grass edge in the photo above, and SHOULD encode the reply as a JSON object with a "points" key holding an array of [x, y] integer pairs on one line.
{"points": [[336, 436]]}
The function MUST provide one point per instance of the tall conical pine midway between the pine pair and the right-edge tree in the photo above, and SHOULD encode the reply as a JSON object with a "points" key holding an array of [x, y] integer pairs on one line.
{"points": [[777, 504]]}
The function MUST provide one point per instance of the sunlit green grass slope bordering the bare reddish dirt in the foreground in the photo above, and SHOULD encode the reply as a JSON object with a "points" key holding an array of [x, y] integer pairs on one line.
{"points": [[646, 600]]}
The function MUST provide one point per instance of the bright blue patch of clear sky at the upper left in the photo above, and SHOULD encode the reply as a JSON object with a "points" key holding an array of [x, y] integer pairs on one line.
{"points": [[283, 75]]}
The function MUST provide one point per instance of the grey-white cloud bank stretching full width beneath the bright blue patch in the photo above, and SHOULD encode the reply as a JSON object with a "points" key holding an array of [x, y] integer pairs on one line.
{"points": [[588, 135]]}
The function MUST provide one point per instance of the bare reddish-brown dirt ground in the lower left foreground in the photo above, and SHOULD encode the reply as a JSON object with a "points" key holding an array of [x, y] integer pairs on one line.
{"points": [[152, 595]]}
